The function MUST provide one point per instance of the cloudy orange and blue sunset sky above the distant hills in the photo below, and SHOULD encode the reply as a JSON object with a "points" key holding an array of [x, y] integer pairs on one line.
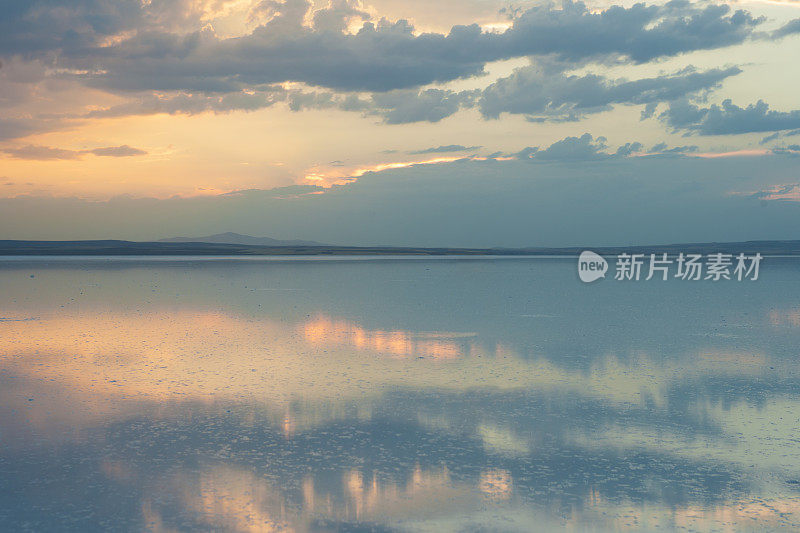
{"points": [[388, 122]]}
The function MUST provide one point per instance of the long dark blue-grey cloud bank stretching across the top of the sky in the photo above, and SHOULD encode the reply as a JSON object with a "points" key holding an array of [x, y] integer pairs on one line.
{"points": [[379, 57]]}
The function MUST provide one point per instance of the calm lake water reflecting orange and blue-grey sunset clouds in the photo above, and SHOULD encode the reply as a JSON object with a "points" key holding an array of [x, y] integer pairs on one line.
{"points": [[383, 395]]}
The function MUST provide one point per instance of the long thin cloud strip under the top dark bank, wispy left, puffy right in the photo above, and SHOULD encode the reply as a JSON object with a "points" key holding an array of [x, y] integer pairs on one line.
{"points": [[540, 94]]}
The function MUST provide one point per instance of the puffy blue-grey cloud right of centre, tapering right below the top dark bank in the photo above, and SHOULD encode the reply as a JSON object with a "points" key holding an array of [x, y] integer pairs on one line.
{"points": [[540, 93]]}
